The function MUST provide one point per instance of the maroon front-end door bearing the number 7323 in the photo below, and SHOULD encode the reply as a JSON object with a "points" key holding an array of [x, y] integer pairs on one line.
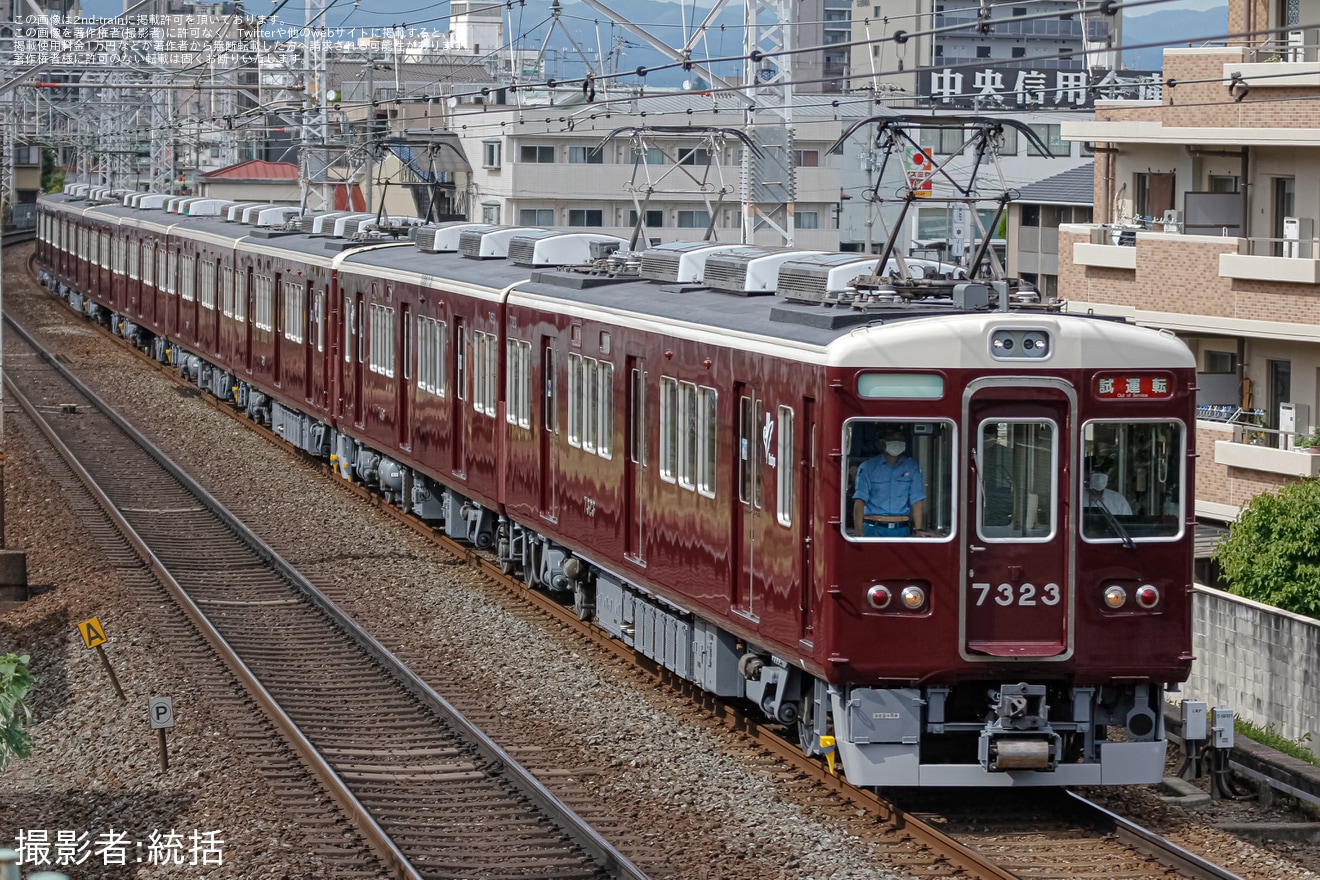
{"points": [[1017, 593]]}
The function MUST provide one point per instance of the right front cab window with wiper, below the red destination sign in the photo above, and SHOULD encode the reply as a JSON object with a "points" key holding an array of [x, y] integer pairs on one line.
{"points": [[1132, 481]]}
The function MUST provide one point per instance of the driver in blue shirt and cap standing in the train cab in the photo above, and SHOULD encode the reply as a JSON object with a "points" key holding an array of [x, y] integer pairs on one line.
{"points": [[889, 495]]}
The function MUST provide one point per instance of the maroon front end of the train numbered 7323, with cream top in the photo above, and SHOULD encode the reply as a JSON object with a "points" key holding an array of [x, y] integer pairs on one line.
{"points": [[1010, 576]]}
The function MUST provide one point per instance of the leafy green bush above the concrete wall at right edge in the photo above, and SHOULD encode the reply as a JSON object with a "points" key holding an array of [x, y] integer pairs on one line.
{"points": [[1273, 552]]}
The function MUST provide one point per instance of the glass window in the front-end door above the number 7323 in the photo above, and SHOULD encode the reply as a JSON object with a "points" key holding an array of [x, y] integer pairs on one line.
{"points": [[1016, 468]]}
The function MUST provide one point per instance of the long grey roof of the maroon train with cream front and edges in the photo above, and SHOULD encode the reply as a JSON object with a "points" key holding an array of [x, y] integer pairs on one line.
{"points": [[839, 334]]}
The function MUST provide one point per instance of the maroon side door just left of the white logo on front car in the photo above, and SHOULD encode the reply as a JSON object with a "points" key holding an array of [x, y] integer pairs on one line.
{"points": [[749, 524]]}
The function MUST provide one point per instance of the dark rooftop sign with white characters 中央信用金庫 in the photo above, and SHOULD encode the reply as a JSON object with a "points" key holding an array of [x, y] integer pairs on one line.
{"points": [[981, 88]]}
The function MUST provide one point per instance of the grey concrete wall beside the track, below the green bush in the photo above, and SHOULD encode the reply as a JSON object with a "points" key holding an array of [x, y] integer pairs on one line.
{"points": [[1257, 660]]}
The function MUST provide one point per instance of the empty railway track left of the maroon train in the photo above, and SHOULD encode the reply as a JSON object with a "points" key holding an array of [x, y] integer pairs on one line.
{"points": [[430, 792]]}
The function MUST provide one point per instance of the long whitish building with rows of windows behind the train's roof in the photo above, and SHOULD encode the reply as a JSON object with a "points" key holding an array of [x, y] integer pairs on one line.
{"points": [[583, 166]]}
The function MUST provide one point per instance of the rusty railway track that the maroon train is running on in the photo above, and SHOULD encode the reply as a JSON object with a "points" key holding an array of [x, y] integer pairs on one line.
{"points": [[997, 841]]}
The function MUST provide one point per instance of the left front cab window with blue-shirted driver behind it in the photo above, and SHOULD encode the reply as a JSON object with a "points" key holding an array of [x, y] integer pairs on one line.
{"points": [[900, 480]]}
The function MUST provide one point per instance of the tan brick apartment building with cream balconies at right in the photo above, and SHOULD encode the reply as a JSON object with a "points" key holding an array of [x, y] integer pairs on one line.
{"points": [[1206, 217]]}
